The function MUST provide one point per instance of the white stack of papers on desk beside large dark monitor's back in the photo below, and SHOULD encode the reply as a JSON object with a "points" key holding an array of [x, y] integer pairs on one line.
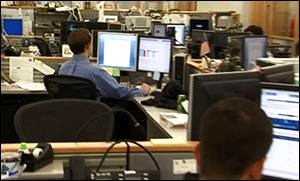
{"points": [[174, 119]]}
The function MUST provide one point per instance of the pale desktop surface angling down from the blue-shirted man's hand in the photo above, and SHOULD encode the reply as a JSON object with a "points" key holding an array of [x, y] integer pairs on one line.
{"points": [[153, 112]]}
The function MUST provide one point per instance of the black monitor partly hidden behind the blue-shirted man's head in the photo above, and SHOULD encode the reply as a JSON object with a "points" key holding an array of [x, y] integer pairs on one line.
{"points": [[68, 26]]}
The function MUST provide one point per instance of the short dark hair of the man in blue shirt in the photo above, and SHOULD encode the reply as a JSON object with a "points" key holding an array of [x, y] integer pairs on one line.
{"points": [[78, 39]]}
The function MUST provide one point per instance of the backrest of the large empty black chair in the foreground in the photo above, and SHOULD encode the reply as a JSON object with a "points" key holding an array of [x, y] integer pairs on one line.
{"points": [[64, 120]]}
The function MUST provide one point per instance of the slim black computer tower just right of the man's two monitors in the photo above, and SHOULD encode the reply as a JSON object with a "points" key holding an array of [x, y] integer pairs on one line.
{"points": [[179, 68]]}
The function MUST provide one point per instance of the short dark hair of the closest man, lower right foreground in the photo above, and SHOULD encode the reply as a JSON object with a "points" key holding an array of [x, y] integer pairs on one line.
{"points": [[235, 132]]}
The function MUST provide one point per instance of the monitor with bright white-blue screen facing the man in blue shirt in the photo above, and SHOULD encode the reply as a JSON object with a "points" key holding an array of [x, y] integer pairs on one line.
{"points": [[117, 50]]}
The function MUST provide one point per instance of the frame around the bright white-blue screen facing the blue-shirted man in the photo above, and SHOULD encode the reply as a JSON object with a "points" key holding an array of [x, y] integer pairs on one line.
{"points": [[121, 68]]}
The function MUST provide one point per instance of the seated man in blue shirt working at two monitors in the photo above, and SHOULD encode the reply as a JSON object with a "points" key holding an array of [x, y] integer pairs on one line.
{"points": [[79, 65]]}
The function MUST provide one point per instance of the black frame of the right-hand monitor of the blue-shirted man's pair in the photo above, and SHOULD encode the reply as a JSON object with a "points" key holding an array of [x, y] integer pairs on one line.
{"points": [[171, 53]]}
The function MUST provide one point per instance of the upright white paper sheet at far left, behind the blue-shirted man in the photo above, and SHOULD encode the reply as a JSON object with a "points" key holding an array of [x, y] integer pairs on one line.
{"points": [[21, 68]]}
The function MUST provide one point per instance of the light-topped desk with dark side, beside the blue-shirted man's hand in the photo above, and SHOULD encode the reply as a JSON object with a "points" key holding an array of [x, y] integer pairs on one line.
{"points": [[153, 113]]}
